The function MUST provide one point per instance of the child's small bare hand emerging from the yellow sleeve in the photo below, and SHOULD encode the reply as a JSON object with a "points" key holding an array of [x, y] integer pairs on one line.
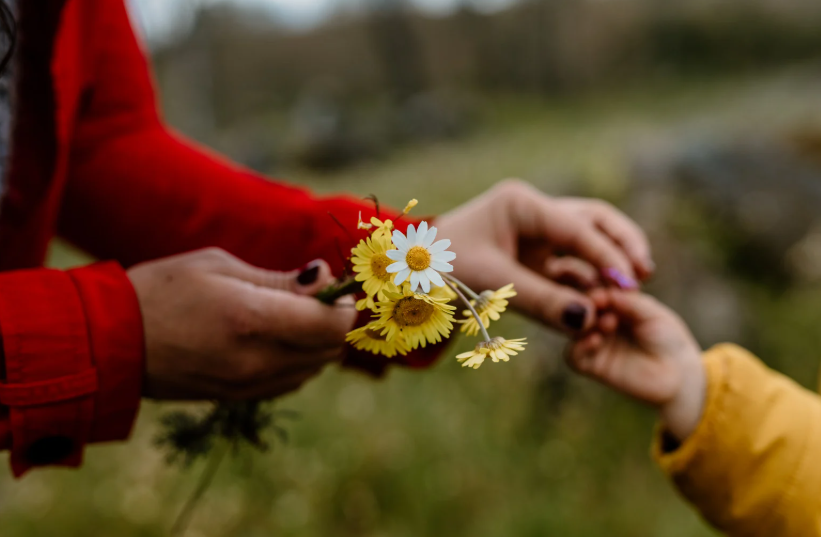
{"points": [[644, 350]]}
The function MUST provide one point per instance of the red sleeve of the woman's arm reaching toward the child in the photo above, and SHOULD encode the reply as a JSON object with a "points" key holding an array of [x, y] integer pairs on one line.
{"points": [[137, 191]]}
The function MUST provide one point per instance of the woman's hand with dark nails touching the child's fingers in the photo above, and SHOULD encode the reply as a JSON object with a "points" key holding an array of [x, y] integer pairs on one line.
{"points": [[515, 233]]}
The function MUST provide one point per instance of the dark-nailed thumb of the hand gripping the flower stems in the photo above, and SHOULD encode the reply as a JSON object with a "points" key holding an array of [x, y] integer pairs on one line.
{"points": [[308, 280]]}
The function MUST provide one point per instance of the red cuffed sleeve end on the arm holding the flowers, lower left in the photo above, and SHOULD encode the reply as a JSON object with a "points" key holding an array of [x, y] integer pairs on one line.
{"points": [[73, 352]]}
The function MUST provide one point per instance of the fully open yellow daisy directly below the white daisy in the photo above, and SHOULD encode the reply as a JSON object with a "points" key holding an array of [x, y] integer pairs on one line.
{"points": [[420, 319]]}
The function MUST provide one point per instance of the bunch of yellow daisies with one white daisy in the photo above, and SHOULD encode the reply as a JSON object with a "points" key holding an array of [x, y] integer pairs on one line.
{"points": [[408, 287]]}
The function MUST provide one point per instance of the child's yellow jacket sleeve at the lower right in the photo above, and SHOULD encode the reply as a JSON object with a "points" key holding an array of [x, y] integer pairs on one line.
{"points": [[753, 465]]}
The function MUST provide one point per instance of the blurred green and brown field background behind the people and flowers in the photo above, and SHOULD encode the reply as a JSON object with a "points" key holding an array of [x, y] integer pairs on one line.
{"points": [[700, 118]]}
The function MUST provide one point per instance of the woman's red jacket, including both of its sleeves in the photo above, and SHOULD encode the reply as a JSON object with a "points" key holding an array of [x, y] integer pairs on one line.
{"points": [[94, 162]]}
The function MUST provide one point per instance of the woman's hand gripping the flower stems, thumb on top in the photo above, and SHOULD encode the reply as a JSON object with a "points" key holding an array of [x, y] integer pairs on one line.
{"points": [[218, 328]]}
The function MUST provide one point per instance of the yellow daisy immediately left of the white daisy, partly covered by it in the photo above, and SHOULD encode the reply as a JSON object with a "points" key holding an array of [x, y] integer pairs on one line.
{"points": [[369, 262]]}
